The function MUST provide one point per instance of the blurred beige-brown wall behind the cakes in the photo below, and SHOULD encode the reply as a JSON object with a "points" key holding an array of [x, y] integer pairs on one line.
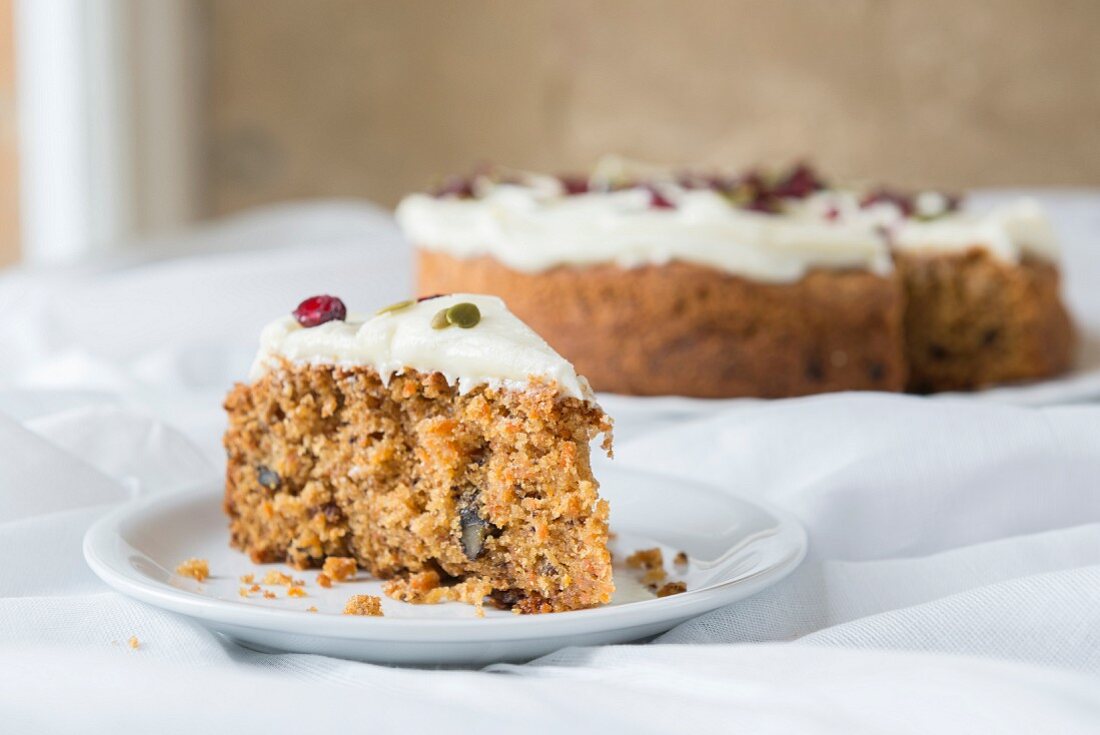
{"points": [[342, 98]]}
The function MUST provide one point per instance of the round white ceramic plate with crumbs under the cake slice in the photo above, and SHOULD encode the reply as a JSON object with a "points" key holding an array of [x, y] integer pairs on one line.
{"points": [[736, 548]]}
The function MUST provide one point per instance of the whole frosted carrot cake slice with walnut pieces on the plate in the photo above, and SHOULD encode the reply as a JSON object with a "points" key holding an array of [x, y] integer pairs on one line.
{"points": [[441, 445]]}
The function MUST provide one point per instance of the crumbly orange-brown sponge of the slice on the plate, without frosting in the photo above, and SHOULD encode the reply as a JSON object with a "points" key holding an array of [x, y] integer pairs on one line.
{"points": [[491, 491]]}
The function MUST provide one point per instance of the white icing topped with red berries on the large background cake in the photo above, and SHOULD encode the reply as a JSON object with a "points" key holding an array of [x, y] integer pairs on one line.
{"points": [[534, 223]]}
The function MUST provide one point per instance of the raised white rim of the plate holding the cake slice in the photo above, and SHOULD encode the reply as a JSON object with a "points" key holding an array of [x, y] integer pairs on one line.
{"points": [[105, 533]]}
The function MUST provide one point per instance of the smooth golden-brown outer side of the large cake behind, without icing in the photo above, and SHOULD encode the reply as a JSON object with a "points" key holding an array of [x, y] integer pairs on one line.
{"points": [[685, 330]]}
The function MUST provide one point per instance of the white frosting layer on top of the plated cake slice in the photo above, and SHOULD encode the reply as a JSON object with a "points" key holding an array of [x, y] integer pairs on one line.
{"points": [[500, 352]]}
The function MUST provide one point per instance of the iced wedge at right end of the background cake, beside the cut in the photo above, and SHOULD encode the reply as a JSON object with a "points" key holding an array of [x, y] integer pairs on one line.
{"points": [[984, 302]]}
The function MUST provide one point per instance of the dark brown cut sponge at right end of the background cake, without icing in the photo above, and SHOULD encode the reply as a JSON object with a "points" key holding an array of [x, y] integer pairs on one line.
{"points": [[973, 321]]}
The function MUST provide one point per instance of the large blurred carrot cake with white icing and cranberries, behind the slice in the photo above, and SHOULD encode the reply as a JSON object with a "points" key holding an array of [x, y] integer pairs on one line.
{"points": [[752, 286]]}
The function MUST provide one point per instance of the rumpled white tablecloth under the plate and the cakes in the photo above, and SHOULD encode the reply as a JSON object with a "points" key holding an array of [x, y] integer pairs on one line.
{"points": [[953, 583]]}
